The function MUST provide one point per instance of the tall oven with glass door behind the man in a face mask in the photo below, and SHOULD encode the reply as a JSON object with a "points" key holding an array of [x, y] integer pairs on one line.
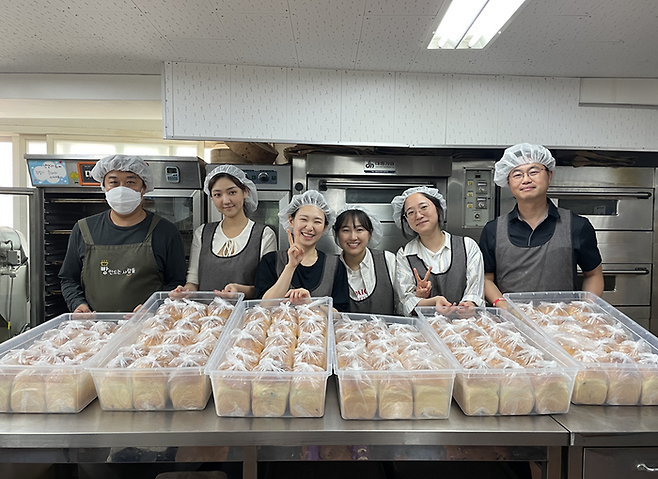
{"points": [[66, 192]]}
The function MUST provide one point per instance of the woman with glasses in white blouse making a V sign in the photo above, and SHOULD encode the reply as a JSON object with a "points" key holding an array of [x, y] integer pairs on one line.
{"points": [[435, 268]]}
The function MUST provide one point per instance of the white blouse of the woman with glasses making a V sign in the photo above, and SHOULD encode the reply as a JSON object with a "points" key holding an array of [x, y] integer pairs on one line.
{"points": [[440, 262]]}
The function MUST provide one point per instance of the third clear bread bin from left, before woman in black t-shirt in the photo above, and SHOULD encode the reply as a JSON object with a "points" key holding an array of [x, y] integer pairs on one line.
{"points": [[275, 361]]}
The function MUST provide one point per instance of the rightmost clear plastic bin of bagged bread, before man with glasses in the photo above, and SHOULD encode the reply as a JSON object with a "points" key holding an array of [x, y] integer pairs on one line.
{"points": [[618, 357]]}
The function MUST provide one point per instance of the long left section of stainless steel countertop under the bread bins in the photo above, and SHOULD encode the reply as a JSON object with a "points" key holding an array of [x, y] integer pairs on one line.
{"points": [[94, 428]]}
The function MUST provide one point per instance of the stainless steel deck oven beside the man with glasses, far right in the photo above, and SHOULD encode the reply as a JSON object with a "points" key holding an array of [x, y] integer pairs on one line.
{"points": [[619, 202]]}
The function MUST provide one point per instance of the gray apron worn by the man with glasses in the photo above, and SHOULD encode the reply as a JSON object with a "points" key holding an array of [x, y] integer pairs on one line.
{"points": [[548, 267]]}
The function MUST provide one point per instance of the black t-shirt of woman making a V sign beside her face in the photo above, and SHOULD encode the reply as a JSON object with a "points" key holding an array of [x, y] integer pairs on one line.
{"points": [[307, 277]]}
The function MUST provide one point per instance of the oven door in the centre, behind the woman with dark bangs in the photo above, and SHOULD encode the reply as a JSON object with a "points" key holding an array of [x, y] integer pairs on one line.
{"points": [[376, 195]]}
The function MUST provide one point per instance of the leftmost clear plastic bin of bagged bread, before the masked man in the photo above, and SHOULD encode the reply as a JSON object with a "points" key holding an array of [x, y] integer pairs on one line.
{"points": [[44, 369]]}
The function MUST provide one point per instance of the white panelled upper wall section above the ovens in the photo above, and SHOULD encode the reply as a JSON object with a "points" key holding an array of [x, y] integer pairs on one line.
{"points": [[345, 107]]}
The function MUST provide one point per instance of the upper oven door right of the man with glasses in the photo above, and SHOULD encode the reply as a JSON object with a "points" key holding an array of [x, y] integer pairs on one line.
{"points": [[608, 208]]}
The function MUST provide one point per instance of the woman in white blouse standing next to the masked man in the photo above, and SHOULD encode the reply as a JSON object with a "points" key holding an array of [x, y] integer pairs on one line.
{"points": [[225, 254]]}
